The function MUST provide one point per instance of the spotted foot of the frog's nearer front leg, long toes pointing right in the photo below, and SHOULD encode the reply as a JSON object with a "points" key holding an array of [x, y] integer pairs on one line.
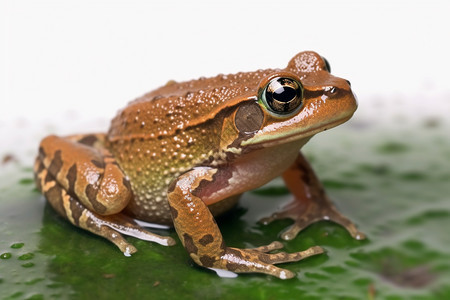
{"points": [[258, 260]]}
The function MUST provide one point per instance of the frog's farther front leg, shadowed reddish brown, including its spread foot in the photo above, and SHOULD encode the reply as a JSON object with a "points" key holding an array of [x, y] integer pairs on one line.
{"points": [[311, 204]]}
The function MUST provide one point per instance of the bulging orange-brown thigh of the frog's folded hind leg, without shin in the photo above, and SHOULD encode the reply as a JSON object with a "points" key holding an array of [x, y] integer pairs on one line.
{"points": [[85, 169]]}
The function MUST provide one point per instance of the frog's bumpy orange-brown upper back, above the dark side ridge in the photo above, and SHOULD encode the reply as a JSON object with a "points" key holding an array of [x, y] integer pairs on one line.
{"points": [[177, 106]]}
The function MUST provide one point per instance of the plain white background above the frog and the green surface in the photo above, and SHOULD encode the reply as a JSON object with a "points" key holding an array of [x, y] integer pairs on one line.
{"points": [[63, 60]]}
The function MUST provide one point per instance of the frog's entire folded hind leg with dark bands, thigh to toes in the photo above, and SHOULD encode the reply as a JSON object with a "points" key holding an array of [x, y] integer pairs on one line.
{"points": [[84, 184]]}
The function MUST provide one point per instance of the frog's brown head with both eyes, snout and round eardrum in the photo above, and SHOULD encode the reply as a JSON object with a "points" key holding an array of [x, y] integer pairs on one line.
{"points": [[295, 103]]}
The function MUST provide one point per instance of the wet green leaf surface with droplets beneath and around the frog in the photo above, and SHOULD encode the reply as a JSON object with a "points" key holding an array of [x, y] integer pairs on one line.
{"points": [[392, 183]]}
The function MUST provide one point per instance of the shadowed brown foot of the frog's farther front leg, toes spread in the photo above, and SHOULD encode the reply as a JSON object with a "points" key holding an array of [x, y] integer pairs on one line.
{"points": [[305, 214]]}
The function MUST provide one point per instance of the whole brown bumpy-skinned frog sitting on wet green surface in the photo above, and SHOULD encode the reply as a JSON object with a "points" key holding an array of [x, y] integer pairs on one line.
{"points": [[184, 153]]}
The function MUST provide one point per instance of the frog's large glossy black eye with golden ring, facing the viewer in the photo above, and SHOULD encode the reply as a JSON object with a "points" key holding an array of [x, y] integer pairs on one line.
{"points": [[283, 95]]}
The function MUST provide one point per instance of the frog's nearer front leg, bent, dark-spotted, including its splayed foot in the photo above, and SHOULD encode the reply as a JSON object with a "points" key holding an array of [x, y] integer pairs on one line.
{"points": [[201, 236]]}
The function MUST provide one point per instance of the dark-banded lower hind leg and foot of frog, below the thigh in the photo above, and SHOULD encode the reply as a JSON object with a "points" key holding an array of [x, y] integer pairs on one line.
{"points": [[108, 227]]}
